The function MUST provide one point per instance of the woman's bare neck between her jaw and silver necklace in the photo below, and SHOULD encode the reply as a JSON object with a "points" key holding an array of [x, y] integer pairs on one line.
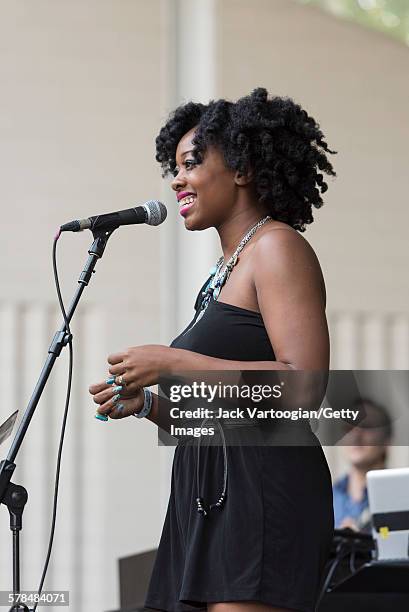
{"points": [[233, 229]]}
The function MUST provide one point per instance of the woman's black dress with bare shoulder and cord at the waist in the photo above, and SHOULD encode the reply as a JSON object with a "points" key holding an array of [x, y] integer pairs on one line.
{"points": [[270, 540]]}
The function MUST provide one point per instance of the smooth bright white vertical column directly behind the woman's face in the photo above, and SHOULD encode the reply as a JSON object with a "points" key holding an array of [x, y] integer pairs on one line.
{"points": [[189, 74]]}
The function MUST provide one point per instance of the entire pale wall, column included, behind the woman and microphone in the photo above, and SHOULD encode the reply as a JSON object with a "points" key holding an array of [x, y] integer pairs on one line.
{"points": [[85, 88]]}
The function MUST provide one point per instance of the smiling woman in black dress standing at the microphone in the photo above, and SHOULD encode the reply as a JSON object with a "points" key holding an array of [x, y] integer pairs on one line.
{"points": [[258, 540]]}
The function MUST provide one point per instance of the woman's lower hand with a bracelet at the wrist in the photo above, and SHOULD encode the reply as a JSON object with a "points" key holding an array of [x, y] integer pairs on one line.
{"points": [[103, 395]]}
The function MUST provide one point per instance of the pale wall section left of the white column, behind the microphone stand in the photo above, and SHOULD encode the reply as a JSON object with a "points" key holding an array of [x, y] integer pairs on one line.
{"points": [[80, 107]]}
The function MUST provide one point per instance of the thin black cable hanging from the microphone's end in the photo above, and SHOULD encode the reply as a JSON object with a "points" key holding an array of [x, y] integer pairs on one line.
{"points": [[64, 422]]}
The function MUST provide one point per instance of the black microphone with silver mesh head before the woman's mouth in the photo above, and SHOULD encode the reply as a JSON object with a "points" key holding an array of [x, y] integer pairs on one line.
{"points": [[152, 213]]}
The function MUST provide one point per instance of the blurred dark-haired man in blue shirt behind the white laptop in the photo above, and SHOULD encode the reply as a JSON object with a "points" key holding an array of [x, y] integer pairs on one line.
{"points": [[366, 448]]}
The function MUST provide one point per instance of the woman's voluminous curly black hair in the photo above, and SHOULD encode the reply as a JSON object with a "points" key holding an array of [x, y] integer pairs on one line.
{"points": [[272, 137]]}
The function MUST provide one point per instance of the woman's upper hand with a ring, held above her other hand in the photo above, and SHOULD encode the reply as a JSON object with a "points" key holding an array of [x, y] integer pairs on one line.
{"points": [[139, 366]]}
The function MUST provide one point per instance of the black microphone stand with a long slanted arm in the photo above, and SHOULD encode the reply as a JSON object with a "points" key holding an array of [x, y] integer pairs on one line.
{"points": [[15, 496]]}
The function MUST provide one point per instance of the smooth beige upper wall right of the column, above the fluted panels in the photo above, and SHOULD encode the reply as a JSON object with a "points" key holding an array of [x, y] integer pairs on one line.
{"points": [[353, 82]]}
